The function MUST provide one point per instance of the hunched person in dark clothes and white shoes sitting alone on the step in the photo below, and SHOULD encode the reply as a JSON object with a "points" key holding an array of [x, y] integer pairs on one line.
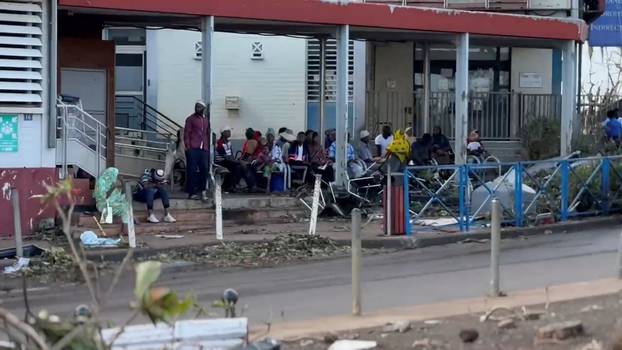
{"points": [[152, 185]]}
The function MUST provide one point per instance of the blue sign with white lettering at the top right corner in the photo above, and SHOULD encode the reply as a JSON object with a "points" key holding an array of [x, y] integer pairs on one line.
{"points": [[607, 29]]}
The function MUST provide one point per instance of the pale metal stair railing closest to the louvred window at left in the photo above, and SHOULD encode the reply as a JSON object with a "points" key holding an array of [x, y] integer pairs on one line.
{"points": [[77, 126]]}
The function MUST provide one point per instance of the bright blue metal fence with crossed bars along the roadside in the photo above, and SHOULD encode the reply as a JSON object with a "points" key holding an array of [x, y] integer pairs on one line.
{"points": [[529, 192]]}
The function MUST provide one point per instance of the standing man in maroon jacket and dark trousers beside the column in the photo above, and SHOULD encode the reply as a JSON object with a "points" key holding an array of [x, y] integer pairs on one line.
{"points": [[196, 138]]}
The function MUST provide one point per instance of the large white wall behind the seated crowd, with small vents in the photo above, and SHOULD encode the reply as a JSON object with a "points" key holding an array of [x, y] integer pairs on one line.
{"points": [[272, 90]]}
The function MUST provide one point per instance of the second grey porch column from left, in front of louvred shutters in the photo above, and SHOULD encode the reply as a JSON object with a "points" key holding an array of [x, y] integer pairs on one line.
{"points": [[343, 38]]}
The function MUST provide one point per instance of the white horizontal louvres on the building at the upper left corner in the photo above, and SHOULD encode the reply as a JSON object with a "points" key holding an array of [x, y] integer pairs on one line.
{"points": [[21, 55]]}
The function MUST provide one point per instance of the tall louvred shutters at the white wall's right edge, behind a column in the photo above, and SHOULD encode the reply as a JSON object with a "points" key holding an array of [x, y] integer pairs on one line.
{"points": [[313, 70]]}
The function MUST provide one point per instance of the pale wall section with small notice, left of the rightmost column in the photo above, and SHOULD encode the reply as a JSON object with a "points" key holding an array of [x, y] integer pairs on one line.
{"points": [[538, 61]]}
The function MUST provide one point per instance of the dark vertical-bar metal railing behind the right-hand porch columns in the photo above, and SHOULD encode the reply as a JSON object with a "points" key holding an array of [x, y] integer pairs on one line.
{"points": [[496, 115]]}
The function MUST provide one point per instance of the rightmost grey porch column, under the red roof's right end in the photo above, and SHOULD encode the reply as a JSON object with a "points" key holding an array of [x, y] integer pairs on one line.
{"points": [[569, 89]]}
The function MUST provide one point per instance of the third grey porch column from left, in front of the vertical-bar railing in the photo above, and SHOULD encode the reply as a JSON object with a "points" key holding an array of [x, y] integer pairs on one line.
{"points": [[462, 97]]}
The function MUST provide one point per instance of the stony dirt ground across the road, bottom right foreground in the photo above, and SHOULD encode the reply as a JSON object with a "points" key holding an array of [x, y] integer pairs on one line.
{"points": [[601, 318]]}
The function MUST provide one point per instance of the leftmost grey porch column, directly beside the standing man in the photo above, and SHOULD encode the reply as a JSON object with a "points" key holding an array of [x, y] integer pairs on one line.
{"points": [[207, 36]]}
